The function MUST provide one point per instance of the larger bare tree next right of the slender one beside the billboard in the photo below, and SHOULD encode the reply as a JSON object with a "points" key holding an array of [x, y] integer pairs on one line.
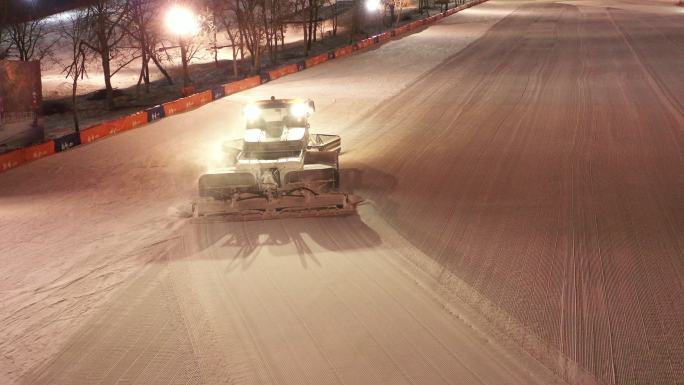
{"points": [[106, 22]]}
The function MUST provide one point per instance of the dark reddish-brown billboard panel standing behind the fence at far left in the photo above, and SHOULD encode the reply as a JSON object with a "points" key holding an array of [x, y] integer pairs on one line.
{"points": [[20, 104]]}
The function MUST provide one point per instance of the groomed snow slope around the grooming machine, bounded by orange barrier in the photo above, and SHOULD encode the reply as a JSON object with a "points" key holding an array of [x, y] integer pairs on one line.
{"points": [[522, 163]]}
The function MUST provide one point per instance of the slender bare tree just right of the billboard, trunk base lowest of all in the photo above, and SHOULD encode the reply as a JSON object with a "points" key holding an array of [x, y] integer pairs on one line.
{"points": [[74, 31]]}
